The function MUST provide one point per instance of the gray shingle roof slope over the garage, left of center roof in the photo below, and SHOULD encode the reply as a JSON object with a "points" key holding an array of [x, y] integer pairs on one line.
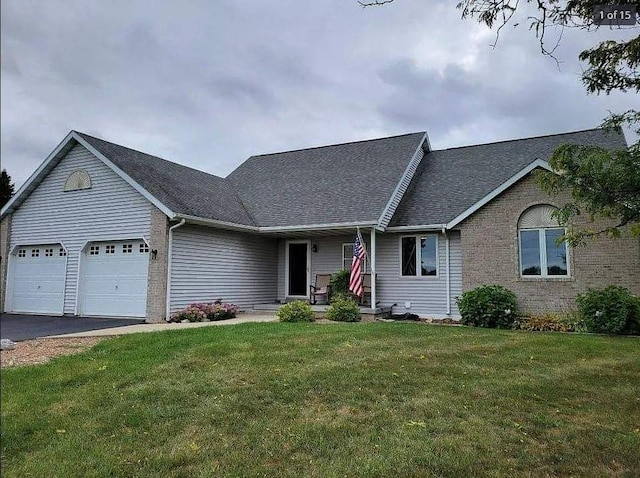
{"points": [[183, 190]]}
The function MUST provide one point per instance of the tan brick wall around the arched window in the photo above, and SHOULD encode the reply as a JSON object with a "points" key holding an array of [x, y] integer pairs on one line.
{"points": [[490, 254]]}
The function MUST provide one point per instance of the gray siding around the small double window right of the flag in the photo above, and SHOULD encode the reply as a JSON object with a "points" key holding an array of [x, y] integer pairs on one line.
{"points": [[426, 294]]}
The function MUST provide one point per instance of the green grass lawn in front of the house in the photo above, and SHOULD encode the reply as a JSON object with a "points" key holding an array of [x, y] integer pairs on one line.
{"points": [[329, 400]]}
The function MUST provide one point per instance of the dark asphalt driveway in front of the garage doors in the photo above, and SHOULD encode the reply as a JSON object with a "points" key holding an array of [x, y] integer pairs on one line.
{"points": [[24, 327]]}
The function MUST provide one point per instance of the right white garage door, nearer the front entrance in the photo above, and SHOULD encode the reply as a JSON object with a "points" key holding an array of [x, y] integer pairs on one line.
{"points": [[114, 279]]}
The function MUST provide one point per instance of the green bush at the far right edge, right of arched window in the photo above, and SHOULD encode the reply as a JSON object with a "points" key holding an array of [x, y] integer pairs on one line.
{"points": [[612, 310]]}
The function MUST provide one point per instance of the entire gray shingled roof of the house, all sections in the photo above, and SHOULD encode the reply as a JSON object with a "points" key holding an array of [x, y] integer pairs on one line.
{"points": [[347, 184]]}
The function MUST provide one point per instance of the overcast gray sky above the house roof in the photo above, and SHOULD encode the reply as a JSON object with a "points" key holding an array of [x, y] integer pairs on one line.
{"points": [[209, 83]]}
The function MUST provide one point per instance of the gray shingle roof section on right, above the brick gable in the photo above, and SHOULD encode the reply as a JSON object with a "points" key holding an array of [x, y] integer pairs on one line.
{"points": [[450, 181]]}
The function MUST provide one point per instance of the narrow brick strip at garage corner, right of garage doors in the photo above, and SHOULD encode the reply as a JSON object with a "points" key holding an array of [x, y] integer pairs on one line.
{"points": [[157, 280]]}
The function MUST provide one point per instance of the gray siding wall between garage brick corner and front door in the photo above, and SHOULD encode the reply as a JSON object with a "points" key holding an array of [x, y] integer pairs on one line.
{"points": [[209, 264]]}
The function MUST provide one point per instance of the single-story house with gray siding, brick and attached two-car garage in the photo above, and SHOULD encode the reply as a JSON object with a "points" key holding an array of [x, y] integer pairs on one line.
{"points": [[103, 230]]}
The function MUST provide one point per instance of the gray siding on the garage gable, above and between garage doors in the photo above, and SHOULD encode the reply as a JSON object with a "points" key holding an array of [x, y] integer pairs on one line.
{"points": [[111, 209]]}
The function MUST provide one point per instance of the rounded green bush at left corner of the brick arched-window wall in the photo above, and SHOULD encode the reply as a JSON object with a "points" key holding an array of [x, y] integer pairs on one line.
{"points": [[488, 306]]}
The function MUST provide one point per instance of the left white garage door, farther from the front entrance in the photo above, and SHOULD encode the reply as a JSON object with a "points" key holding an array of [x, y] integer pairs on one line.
{"points": [[37, 279]]}
